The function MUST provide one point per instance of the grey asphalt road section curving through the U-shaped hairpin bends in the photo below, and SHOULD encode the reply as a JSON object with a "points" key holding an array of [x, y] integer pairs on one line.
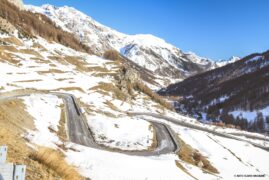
{"points": [[78, 130]]}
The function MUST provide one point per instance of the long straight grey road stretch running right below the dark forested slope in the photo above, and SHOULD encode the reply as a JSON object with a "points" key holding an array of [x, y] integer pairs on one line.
{"points": [[197, 127]]}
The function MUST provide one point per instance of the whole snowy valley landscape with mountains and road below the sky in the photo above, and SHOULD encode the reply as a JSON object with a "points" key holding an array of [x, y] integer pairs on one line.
{"points": [[79, 100]]}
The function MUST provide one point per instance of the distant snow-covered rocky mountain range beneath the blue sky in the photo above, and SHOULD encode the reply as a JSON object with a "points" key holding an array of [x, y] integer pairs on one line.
{"points": [[146, 50]]}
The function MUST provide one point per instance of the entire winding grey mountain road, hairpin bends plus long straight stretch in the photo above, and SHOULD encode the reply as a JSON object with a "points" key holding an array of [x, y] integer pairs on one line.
{"points": [[79, 132]]}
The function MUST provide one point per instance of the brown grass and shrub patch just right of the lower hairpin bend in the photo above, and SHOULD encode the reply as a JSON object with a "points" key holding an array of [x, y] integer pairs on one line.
{"points": [[192, 156]]}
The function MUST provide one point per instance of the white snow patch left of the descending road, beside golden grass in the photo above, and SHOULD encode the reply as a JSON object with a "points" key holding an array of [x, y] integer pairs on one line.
{"points": [[46, 112]]}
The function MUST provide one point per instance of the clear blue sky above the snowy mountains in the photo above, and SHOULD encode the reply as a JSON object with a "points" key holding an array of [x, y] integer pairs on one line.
{"points": [[216, 29]]}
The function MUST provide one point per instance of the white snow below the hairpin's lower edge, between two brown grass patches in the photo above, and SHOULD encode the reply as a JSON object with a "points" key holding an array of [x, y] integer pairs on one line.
{"points": [[104, 165]]}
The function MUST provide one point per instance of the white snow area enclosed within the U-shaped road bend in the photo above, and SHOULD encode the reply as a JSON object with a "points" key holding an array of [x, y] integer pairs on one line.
{"points": [[123, 133]]}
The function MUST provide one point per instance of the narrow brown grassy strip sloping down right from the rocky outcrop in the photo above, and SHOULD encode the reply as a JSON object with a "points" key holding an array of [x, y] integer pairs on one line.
{"points": [[154, 96]]}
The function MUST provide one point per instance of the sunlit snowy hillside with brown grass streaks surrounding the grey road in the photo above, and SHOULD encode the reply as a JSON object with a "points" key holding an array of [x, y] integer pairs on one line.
{"points": [[35, 65]]}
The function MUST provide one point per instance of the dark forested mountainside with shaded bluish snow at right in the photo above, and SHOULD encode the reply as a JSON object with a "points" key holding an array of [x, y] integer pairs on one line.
{"points": [[235, 94]]}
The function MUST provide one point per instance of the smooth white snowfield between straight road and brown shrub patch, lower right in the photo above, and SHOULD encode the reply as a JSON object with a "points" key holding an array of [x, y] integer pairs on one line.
{"points": [[223, 151]]}
